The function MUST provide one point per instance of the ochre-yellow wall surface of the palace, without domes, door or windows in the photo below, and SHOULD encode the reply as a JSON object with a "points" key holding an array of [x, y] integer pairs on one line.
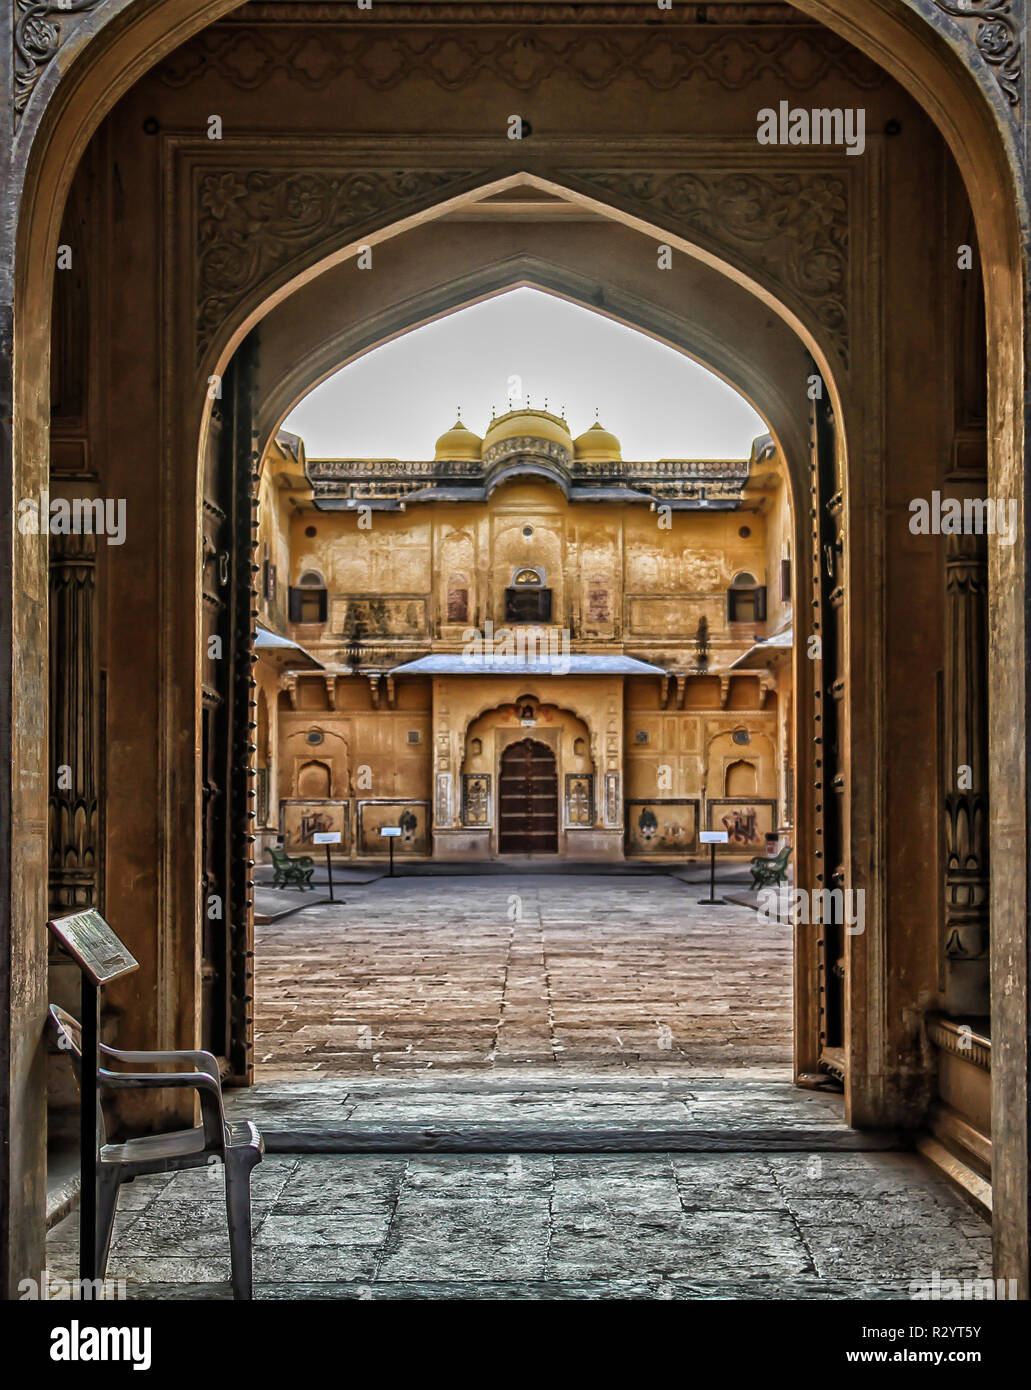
{"points": [[626, 580]]}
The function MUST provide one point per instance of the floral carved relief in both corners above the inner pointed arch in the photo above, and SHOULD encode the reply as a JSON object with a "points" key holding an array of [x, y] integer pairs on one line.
{"points": [[787, 229]]}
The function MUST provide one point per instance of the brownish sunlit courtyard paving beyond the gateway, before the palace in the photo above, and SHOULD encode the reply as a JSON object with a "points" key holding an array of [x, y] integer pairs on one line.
{"points": [[506, 971]]}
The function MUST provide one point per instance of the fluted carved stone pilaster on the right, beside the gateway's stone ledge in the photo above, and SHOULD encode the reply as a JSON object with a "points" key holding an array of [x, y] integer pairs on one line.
{"points": [[966, 775]]}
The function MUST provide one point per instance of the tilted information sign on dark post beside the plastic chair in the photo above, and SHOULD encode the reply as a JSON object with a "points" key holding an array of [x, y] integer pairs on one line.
{"points": [[101, 957]]}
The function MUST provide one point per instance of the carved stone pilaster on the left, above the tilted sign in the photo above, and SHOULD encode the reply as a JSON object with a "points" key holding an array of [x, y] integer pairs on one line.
{"points": [[74, 726]]}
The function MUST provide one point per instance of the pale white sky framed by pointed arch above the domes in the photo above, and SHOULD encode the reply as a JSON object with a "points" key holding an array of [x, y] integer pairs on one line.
{"points": [[399, 398]]}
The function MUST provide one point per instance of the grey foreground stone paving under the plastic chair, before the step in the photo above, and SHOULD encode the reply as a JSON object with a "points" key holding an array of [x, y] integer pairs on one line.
{"points": [[552, 1227]]}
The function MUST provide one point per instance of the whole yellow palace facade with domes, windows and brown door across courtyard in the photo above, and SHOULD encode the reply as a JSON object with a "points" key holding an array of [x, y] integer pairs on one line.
{"points": [[525, 647]]}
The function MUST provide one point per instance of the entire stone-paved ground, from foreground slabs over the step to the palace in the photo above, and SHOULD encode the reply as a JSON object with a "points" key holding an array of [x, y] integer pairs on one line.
{"points": [[438, 1072]]}
